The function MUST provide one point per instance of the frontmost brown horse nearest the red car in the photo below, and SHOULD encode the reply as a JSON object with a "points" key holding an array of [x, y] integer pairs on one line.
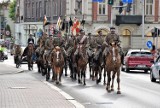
{"points": [[113, 63]]}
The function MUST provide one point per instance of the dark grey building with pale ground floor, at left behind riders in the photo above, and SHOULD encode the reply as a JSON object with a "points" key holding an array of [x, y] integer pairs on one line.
{"points": [[30, 16]]}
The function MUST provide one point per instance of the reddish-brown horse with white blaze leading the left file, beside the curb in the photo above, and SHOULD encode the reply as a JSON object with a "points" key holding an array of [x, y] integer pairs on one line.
{"points": [[57, 64]]}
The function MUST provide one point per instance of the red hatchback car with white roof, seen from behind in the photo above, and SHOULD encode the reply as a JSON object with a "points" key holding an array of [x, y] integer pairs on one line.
{"points": [[137, 59]]}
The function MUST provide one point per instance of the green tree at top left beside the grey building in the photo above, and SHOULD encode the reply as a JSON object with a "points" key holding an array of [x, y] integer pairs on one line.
{"points": [[12, 10]]}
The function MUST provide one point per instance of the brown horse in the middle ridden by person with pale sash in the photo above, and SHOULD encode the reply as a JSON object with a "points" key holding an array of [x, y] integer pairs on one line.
{"points": [[82, 64]]}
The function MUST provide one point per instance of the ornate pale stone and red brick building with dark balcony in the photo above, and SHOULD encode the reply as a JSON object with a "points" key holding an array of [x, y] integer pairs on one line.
{"points": [[98, 17]]}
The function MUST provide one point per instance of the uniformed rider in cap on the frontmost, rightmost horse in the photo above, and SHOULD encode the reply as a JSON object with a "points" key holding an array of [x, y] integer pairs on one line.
{"points": [[112, 36]]}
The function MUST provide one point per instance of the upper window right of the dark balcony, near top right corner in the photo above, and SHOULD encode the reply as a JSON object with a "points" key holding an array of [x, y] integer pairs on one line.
{"points": [[149, 7]]}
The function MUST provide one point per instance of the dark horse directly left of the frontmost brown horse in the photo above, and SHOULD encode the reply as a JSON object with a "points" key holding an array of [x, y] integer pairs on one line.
{"points": [[96, 65]]}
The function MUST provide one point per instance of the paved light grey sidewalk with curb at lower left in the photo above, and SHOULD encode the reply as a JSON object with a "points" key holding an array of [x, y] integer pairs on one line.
{"points": [[24, 90]]}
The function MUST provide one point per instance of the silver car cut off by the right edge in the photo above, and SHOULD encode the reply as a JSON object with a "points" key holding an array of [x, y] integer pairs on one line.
{"points": [[155, 70]]}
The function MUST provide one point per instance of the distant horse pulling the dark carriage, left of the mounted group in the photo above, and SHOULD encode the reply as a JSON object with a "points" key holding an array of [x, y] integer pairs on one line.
{"points": [[29, 56]]}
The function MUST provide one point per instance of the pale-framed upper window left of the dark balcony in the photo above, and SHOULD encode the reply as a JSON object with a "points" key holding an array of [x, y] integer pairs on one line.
{"points": [[102, 8]]}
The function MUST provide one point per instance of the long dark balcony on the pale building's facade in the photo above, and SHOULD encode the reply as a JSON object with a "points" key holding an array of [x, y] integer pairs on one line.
{"points": [[128, 19]]}
